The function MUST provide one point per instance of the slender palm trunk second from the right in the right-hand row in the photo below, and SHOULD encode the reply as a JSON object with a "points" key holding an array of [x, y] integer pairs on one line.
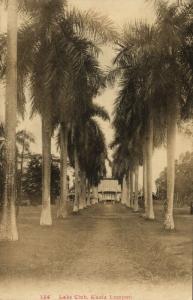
{"points": [[149, 154]]}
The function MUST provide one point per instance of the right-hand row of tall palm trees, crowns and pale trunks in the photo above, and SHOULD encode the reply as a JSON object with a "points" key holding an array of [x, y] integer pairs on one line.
{"points": [[154, 68]]}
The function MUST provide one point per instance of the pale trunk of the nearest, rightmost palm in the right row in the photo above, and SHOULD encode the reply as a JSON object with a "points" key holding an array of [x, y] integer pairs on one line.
{"points": [[171, 143]]}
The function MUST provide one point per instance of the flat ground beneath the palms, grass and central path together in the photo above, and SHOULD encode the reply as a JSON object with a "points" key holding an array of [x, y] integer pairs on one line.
{"points": [[105, 244]]}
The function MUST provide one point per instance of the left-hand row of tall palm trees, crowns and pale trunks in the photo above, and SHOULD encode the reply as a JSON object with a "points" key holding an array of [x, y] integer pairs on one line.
{"points": [[54, 55]]}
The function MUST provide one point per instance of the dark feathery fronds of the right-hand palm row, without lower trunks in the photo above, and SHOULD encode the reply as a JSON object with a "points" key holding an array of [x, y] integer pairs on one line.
{"points": [[154, 67]]}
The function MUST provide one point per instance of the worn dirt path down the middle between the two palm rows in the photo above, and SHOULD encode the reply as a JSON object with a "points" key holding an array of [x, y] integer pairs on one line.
{"points": [[104, 255]]}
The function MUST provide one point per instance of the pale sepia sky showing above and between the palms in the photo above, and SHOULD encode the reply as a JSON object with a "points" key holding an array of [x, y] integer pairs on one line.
{"points": [[120, 12]]}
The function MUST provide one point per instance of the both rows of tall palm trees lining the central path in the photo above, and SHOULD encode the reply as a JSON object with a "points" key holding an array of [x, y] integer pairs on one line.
{"points": [[54, 55]]}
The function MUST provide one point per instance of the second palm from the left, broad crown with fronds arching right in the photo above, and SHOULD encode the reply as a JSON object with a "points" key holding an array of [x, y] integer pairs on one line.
{"points": [[54, 30]]}
